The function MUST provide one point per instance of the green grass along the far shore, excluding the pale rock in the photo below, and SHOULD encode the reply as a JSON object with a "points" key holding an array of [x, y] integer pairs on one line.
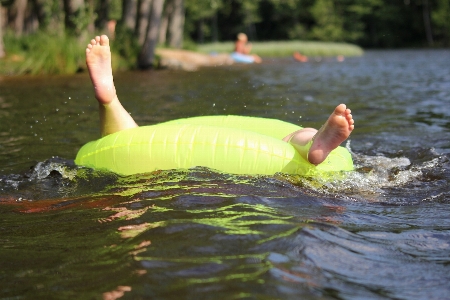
{"points": [[59, 54]]}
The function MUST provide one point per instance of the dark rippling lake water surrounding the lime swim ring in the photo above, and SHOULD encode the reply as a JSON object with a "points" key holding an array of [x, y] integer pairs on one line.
{"points": [[380, 232]]}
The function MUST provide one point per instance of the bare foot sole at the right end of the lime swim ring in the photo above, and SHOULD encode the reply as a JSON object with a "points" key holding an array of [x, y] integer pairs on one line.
{"points": [[336, 130]]}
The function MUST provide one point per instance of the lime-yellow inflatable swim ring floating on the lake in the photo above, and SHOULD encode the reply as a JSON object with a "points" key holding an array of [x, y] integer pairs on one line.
{"points": [[232, 144]]}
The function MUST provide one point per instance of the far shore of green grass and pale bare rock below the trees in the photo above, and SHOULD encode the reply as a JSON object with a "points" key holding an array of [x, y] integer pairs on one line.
{"points": [[49, 57]]}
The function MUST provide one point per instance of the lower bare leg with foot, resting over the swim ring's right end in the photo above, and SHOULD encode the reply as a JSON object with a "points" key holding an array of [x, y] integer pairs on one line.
{"points": [[315, 145]]}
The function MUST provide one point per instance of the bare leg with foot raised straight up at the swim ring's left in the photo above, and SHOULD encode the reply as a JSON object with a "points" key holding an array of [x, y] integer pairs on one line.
{"points": [[113, 117]]}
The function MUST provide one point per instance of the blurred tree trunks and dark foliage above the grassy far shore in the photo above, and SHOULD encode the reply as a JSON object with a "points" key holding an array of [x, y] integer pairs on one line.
{"points": [[174, 23]]}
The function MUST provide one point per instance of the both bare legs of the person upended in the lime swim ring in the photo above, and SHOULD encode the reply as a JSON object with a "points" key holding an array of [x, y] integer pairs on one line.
{"points": [[314, 145]]}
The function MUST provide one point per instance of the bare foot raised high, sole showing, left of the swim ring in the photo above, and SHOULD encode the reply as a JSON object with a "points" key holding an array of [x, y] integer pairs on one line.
{"points": [[98, 60]]}
